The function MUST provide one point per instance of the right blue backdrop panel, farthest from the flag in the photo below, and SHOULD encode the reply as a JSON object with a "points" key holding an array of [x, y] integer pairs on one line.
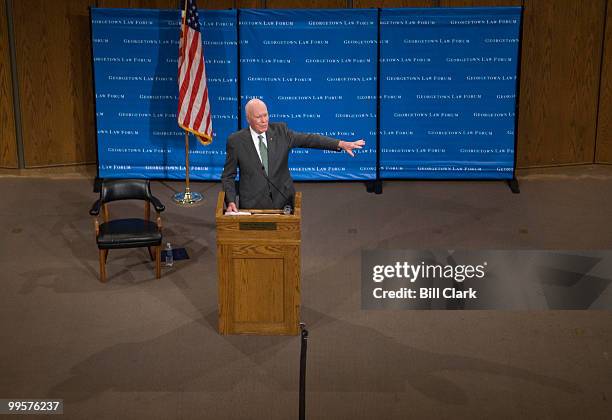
{"points": [[448, 86]]}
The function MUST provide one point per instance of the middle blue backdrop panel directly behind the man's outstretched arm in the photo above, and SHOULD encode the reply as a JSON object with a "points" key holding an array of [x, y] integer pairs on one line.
{"points": [[316, 70]]}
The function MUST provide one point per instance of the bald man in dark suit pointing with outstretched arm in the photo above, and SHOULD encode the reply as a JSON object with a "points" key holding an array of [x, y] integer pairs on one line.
{"points": [[261, 152]]}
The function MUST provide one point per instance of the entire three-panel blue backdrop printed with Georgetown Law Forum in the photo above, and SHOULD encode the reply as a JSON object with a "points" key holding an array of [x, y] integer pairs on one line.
{"points": [[447, 89]]}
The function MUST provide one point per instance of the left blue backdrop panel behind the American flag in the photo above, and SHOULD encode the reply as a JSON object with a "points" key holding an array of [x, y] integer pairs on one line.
{"points": [[135, 55]]}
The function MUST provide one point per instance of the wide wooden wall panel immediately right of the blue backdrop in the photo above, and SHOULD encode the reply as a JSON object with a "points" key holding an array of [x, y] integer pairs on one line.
{"points": [[560, 71]]}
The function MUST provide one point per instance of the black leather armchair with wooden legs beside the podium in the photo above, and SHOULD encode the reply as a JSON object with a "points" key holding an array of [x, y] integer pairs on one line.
{"points": [[127, 233]]}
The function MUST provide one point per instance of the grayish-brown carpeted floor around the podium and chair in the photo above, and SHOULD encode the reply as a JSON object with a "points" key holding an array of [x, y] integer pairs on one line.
{"points": [[143, 348]]}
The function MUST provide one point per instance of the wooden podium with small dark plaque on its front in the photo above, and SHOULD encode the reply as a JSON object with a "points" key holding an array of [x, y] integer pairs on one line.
{"points": [[258, 266]]}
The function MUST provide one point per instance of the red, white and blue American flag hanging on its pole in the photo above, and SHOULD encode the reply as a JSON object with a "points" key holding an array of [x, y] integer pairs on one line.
{"points": [[194, 106]]}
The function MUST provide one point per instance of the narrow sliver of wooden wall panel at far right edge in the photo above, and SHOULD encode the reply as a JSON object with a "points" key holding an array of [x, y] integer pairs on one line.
{"points": [[603, 145]]}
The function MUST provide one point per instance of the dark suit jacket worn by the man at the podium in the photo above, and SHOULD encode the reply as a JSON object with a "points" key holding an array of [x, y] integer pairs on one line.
{"points": [[256, 191]]}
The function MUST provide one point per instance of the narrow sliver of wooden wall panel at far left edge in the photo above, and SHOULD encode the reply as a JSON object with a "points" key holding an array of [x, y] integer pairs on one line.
{"points": [[8, 142]]}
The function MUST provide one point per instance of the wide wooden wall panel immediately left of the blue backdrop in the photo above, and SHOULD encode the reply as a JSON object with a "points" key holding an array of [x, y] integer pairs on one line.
{"points": [[52, 41]]}
